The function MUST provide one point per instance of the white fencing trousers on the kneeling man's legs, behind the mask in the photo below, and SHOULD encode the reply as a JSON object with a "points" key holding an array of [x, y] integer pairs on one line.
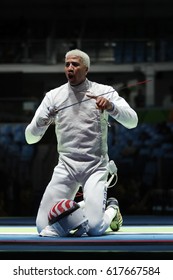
{"points": [[64, 184]]}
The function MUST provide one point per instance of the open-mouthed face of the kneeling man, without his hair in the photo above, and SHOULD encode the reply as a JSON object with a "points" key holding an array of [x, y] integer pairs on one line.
{"points": [[75, 70]]}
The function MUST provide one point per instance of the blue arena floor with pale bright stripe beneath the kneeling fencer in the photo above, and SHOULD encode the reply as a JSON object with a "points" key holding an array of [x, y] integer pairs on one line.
{"points": [[139, 234]]}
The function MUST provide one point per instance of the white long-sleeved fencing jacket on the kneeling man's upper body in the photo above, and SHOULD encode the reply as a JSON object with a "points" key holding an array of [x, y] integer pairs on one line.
{"points": [[81, 129]]}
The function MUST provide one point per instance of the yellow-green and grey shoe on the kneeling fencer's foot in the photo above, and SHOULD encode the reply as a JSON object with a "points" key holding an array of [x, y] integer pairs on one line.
{"points": [[117, 220]]}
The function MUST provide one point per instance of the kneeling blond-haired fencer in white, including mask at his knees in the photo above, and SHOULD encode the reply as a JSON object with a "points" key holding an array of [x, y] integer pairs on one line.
{"points": [[79, 109]]}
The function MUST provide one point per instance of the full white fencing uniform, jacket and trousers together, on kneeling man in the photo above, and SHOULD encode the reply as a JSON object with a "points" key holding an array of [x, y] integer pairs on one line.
{"points": [[81, 132]]}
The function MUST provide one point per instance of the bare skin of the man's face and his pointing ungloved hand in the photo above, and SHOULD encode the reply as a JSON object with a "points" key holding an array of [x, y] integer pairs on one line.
{"points": [[76, 72]]}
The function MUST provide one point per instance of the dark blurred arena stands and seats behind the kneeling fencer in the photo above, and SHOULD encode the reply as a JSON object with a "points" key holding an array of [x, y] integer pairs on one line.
{"points": [[129, 41]]}
